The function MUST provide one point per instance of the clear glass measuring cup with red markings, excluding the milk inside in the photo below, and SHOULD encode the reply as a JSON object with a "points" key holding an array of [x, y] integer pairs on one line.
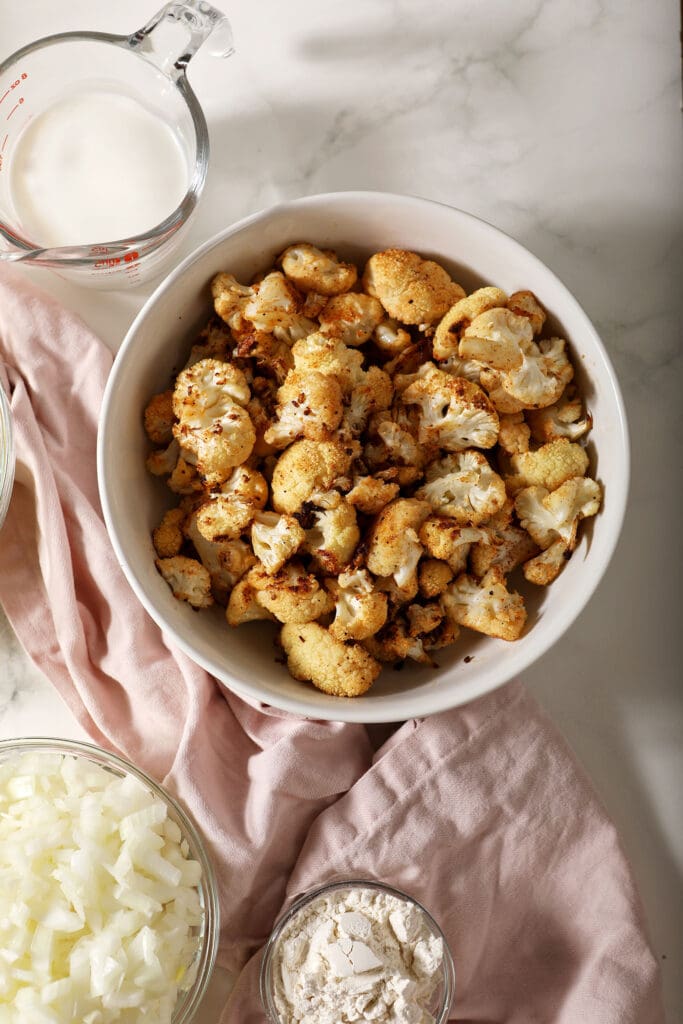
{"points": [[148, 67]]}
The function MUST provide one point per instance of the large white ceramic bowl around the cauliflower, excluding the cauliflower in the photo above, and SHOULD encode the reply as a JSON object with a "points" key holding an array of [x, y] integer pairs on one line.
{"points": [[356, 225]]}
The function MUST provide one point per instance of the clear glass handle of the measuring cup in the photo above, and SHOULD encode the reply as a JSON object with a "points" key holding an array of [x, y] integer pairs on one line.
{"points": [[176, 33]]}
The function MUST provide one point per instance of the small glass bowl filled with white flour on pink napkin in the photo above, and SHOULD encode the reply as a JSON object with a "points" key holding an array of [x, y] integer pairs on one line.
{"points": [[354, 952]]}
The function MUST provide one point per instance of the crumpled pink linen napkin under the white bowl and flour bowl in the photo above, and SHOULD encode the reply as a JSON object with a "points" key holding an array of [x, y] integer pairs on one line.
{"points": [[481, 813]]}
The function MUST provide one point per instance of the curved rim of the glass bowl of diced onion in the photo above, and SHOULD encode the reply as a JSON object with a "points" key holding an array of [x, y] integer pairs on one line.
{"points": [[189, 1001]]}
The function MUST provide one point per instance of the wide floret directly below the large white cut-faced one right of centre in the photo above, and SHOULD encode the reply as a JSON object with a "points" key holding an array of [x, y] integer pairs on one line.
{"points": [[463, 486]]}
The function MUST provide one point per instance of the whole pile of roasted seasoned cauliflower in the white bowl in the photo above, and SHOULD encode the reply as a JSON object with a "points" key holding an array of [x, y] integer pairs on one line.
{"points": [[327, 444]]}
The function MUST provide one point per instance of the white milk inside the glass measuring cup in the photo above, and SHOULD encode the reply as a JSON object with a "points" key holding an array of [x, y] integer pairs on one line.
{"points": [[96, 167]]}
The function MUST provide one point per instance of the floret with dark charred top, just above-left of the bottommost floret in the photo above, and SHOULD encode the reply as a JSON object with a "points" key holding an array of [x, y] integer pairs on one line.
{"points": [[292, 595]]}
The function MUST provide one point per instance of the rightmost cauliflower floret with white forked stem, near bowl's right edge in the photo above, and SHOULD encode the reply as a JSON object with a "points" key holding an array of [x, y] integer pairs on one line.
{"points": [[547, 516]]}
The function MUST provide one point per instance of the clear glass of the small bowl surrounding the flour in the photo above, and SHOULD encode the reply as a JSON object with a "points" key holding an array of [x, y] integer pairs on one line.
{"points": [[442, 1000]]}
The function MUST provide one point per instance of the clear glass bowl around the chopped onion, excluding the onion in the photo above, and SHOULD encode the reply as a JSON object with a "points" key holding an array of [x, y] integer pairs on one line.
{"points": [[207, 934]]}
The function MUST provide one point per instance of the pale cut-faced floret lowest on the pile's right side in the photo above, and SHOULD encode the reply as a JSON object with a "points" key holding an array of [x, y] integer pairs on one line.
{"points": [[486, 606]]}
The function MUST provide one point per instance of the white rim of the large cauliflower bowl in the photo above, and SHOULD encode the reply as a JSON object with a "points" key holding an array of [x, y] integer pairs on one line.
{"points": [[362, 710]]}
